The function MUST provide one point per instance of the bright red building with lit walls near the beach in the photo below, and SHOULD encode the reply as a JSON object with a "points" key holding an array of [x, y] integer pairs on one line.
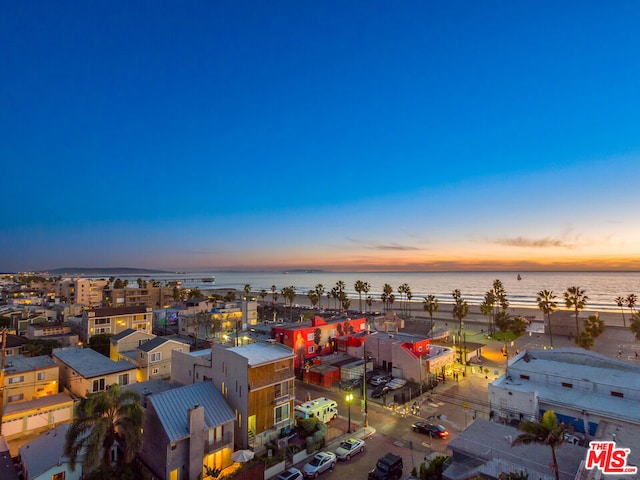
{"points": [[317, 338]]}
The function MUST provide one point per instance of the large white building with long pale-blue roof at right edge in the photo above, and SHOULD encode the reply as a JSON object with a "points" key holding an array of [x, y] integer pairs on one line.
{"points": [[595, 396]]}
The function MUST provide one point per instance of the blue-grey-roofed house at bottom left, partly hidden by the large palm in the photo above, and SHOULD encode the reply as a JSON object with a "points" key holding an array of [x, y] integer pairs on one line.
{"points": [[43, 457]]}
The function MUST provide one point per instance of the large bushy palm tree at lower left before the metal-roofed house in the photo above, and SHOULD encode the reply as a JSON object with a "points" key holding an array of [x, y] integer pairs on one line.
{"points": [[103, 419]]}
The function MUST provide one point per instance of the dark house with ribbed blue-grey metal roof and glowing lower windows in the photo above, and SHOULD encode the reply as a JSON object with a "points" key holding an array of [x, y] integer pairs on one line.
{"points": [[186, 429]]}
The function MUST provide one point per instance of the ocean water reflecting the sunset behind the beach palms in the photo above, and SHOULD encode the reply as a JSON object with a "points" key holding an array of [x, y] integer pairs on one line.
{"points": [[602, 288]]}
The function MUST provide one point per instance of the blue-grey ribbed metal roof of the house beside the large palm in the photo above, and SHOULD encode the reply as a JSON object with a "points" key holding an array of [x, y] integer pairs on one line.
{"points": [[172, 408]]}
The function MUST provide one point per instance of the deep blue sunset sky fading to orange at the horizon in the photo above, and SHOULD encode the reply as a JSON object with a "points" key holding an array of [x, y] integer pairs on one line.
{"points": [[338, 135]]}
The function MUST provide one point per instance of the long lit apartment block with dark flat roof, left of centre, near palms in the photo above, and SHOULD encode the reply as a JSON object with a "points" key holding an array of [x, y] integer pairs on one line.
{"points": [[115, 320]]}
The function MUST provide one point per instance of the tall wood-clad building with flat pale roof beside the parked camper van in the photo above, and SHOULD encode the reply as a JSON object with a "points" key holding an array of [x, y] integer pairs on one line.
{"points": [[256, 380]]}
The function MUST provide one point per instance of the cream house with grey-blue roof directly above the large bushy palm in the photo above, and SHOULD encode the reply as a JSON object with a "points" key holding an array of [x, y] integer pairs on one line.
{"points": [[83, 371]]}
